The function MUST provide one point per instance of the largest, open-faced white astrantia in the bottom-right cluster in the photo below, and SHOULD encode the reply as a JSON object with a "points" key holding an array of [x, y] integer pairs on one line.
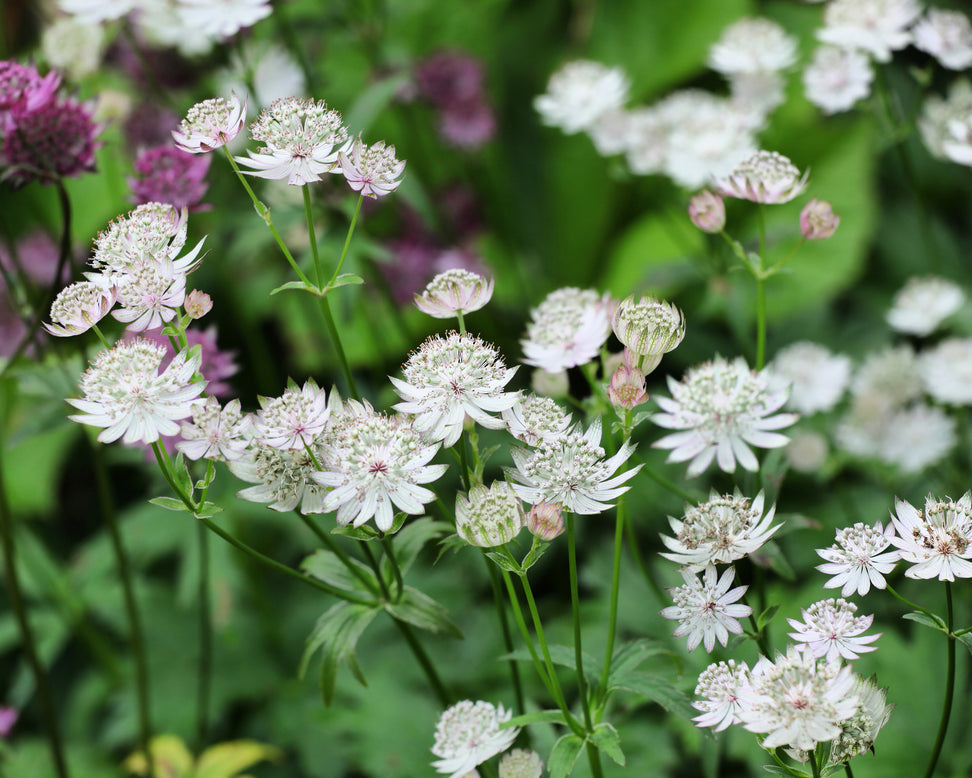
{"points": [[798, 700]]}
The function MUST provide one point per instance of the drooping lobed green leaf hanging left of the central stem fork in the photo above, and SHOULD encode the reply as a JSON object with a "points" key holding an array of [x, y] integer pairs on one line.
{"points": [[336, 634]]}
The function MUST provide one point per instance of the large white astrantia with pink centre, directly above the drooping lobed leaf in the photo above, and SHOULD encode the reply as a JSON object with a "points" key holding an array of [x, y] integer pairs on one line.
{"points": [[375, 464]]}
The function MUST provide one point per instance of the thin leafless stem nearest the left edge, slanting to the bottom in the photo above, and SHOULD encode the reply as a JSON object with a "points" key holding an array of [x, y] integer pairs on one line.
{"points": [[44, 698]]}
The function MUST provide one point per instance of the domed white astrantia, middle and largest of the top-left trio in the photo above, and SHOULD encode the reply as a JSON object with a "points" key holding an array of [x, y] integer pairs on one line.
{"points": [[302, 140]]}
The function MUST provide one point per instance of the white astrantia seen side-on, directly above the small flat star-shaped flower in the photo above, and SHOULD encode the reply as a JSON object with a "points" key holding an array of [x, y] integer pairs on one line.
{"points": [[720, 530]]}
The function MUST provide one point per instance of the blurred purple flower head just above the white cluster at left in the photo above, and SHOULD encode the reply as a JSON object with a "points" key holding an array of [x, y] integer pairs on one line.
{"points": [[166, 174]]}
